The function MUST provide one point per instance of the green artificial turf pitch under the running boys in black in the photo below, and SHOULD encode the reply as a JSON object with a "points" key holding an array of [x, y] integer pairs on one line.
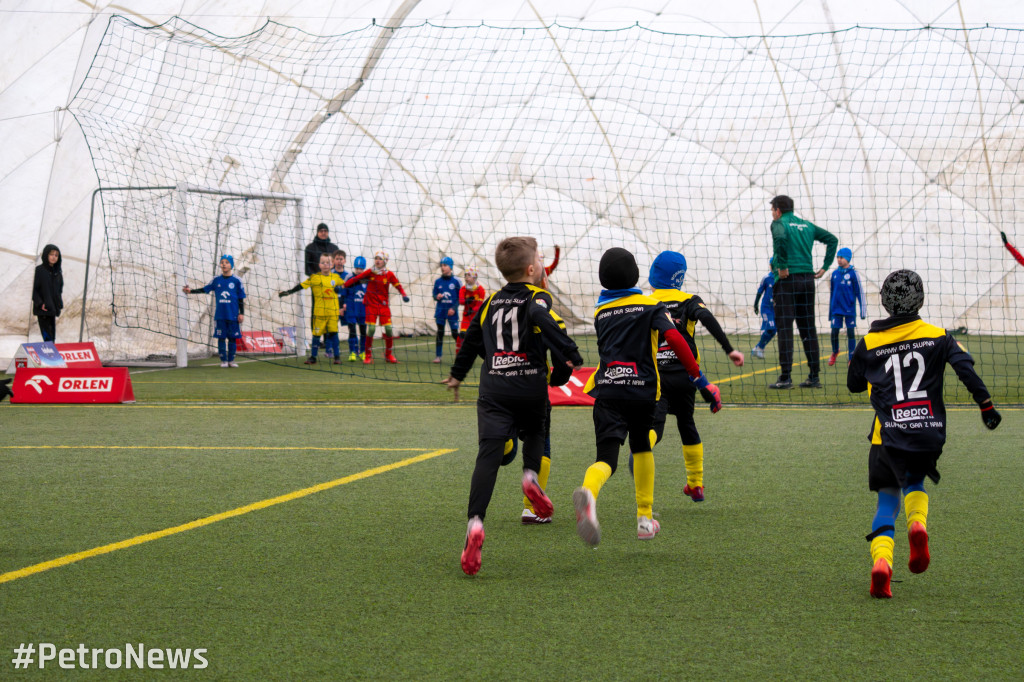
{"points": [[766, 579]]}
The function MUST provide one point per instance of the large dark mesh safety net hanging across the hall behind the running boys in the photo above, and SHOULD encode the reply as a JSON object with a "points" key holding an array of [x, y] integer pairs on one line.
{"points": [[430, 142]]}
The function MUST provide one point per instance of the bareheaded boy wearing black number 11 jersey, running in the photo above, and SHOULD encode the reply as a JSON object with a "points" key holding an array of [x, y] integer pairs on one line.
{"points": [[513, 333]]}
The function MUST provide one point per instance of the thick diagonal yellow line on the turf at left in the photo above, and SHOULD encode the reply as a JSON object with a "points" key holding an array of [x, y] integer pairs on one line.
{"points": [[150, 537]]}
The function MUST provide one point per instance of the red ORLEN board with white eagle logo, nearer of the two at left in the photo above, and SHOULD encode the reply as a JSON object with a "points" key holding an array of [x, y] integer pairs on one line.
{"points": [[105, 385]]}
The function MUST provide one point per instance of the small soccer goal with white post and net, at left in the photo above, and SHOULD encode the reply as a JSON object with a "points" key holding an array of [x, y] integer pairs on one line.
{"points": [[159, 240]]}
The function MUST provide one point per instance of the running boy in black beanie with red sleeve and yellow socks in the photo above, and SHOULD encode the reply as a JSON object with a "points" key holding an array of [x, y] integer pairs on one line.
{"points": [[626, 388]]}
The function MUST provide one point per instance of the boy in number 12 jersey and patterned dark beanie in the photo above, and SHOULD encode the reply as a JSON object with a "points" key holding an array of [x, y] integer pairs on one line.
{"points": [[902, 362]]}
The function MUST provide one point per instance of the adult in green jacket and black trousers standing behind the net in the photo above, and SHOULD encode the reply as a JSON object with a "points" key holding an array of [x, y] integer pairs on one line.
{"points": [[793, 244]]}
